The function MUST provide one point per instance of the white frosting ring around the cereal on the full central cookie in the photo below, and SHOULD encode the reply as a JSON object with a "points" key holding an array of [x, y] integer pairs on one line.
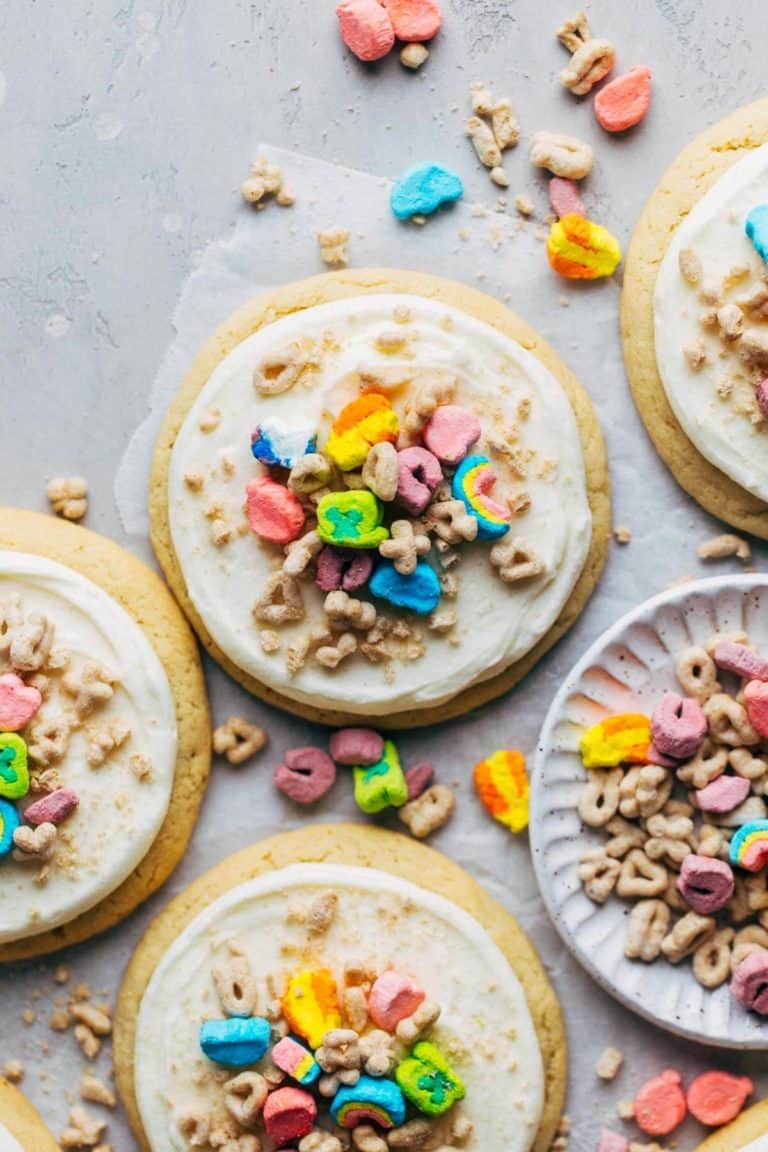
{"points": [[498, 624]]}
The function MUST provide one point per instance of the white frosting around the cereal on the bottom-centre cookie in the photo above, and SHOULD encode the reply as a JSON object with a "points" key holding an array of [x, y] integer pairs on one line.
{"points": [[383, 922]]}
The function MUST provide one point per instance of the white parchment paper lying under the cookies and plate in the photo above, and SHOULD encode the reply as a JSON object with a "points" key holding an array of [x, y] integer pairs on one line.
{"points": [[486, 245]]}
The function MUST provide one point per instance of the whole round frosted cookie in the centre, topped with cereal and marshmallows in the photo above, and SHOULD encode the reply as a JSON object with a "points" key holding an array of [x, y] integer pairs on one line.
{"points": [[381, 495]]}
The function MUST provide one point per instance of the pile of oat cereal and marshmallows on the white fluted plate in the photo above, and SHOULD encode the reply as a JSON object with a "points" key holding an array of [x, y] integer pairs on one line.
{"points": [[681, 798]]}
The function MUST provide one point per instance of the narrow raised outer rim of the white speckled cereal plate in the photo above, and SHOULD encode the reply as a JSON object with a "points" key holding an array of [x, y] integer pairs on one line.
{"points": [[711, 585]]}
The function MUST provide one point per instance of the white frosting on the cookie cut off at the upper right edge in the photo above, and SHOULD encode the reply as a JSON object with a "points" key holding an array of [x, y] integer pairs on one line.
{"points": [[714, 230]]}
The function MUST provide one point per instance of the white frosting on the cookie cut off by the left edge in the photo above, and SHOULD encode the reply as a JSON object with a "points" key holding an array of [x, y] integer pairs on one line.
{"points": [[119, 816]]}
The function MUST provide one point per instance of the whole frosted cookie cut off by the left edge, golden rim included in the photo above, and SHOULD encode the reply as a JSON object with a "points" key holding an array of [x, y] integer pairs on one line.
{"points": [[104, 734]]}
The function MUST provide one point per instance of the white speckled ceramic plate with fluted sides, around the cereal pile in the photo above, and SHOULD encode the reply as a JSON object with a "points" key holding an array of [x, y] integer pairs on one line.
{"points": [[627, 671]]}
